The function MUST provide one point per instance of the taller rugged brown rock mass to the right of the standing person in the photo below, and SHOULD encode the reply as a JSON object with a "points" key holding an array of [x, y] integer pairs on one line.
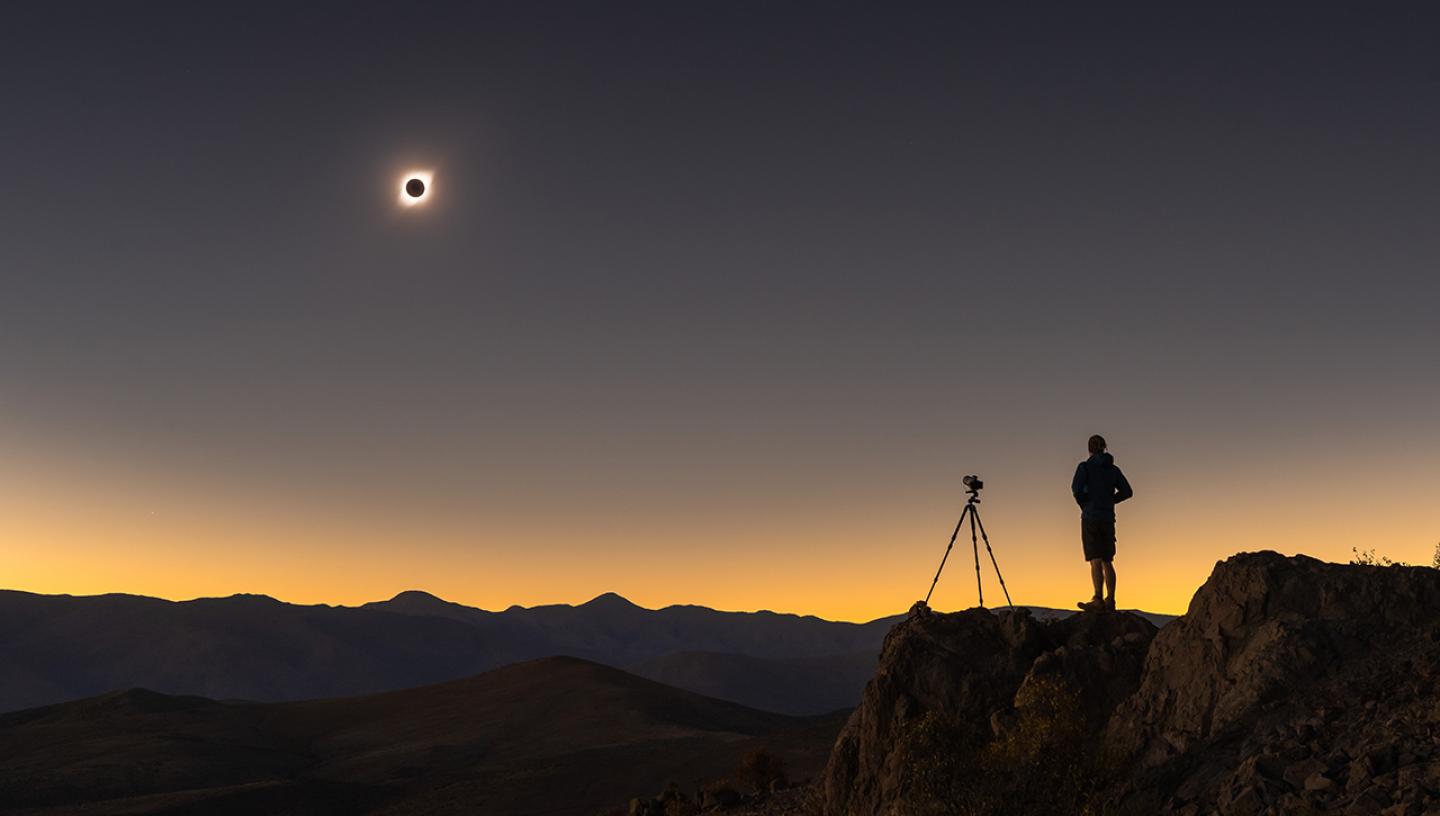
{"points": [[1291, 687]]}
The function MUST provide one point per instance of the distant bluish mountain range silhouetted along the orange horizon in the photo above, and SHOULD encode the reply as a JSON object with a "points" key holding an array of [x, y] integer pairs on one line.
{"points": [[256, 648]]}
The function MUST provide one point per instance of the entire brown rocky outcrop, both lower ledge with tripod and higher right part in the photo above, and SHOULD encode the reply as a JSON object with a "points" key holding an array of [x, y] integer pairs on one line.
{"points": [[1291, 686]]}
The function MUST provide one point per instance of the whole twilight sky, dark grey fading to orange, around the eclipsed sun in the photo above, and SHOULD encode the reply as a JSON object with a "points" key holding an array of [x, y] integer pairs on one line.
{"points": [[712, 303]]}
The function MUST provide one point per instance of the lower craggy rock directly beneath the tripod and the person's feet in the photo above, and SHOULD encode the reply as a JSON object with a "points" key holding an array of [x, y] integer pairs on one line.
{"points": [[971, 670]]}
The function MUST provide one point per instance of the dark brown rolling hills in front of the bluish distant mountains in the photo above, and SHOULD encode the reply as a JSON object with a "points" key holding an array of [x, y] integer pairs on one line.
{"points": [[557, 736]]}
